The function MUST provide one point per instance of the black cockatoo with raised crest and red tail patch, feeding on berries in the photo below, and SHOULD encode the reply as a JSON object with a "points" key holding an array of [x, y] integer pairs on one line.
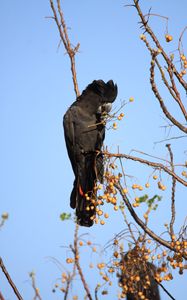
{"points": [[84, 135]]}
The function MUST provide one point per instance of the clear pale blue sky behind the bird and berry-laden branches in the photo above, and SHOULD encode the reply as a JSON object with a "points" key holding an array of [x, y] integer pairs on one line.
{"points": [[36, 90]]}
